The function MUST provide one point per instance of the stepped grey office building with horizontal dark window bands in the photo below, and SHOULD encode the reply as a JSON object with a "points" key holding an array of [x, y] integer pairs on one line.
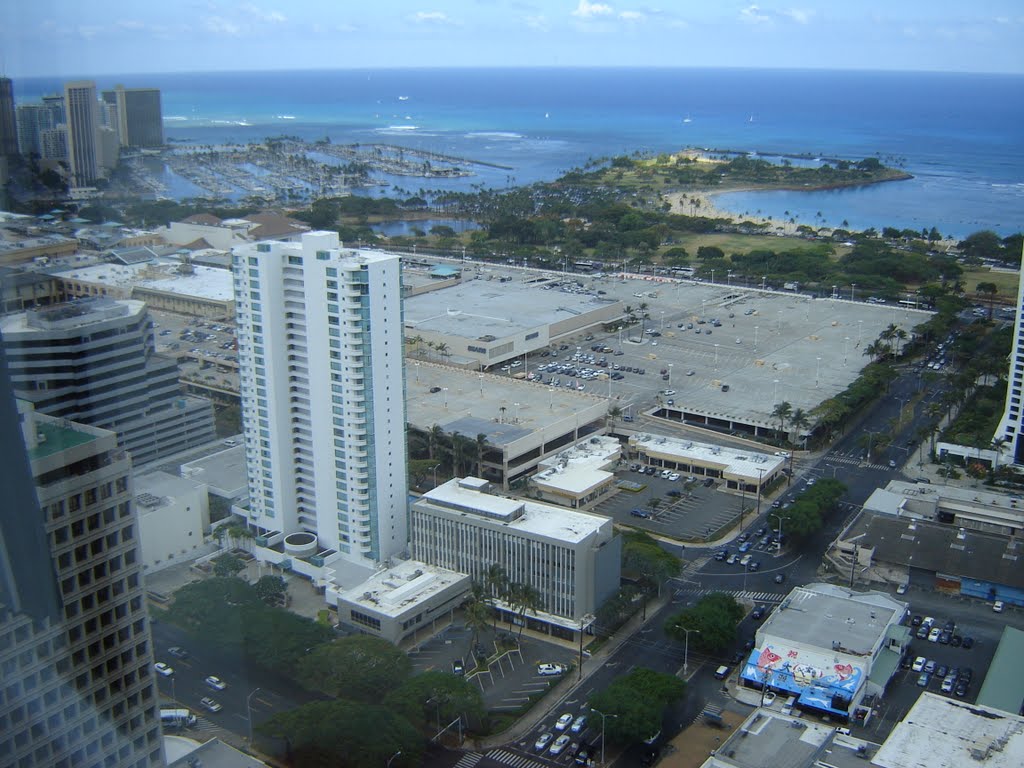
{"points": [[95, 361]]}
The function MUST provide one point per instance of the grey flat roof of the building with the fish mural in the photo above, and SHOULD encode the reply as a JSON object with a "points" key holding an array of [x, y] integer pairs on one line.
{"points": [[822, 615]]}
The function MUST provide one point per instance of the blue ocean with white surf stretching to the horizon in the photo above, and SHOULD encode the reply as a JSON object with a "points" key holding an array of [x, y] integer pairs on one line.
{"points": [[961, 136]]}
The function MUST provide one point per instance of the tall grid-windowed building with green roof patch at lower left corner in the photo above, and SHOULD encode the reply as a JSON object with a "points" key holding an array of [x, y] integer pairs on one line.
{"points": [[78, 682]]}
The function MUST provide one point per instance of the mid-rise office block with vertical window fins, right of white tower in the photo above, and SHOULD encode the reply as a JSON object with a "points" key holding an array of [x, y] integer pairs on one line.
{"points": [[571, 559]]}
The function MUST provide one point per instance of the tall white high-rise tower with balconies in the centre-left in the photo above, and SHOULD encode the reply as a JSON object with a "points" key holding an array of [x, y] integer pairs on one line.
{"points": [[323, 396]]}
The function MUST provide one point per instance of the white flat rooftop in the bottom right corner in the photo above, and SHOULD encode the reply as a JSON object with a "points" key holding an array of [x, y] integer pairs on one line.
{"points": [[943, 733]]}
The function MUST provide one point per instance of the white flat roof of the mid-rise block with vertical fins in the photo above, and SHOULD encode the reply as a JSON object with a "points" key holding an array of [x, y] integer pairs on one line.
{"points": [[546, 521]]}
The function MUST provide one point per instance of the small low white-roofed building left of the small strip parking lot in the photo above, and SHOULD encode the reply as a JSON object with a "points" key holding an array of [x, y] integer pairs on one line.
{"points": [[581, 476]]}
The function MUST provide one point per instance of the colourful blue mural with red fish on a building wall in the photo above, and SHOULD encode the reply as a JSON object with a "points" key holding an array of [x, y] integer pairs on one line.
{"points": [[786, 669]]}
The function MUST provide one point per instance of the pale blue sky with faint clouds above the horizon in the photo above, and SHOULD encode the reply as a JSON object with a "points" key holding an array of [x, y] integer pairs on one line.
{"points": [[109, 37]]}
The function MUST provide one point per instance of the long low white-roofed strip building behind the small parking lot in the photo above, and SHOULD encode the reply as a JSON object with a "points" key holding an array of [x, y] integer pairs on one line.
{"points": [[744, 472]]}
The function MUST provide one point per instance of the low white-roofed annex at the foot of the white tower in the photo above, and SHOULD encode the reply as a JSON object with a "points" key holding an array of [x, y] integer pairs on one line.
{"points": [[398, 602]]}
